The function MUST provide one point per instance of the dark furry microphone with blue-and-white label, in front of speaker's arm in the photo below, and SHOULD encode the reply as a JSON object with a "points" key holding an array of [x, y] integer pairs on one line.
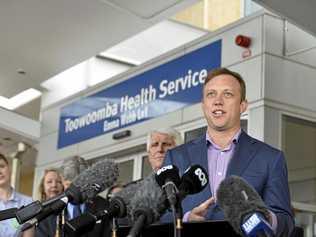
{"points": [[243, 208]]}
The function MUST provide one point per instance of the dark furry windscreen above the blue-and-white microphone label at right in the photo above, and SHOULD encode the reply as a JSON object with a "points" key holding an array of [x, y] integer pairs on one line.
{"points": [[238, 199]]}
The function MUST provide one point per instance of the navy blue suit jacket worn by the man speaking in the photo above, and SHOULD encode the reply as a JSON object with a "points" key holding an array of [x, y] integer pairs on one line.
{"points": [[259, 164]]}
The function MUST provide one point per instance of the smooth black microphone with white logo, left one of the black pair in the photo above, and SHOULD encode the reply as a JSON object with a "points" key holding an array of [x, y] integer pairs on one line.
{"points": [[168, 179]]}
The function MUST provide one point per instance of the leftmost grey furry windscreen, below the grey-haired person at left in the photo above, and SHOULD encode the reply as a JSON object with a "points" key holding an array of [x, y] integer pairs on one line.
{"points": [[95, 179]]}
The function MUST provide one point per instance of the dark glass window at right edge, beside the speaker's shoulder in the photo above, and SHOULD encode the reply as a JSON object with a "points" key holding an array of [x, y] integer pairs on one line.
{"points": [[298, 144]]}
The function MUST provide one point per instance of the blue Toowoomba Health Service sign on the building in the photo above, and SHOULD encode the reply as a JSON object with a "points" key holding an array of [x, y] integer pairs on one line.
{"points": [[160, 90]]}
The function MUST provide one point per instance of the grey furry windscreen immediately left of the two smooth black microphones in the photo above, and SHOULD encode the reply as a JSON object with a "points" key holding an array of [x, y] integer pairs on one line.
{"points": [[149, 198]]}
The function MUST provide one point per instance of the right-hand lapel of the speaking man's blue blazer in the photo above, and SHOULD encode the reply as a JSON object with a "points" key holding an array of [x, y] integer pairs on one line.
{"points": [[244, 153]]}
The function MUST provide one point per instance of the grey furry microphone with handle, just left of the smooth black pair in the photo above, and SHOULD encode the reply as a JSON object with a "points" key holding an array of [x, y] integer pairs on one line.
{"points": [[147, 205]]}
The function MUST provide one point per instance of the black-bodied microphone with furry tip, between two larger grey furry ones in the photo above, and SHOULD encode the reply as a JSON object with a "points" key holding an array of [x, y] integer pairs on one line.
{"points": [[117, 208]]}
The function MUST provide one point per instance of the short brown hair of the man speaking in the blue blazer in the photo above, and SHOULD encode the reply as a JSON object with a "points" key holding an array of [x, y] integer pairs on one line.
{"points": [[225, 71]]}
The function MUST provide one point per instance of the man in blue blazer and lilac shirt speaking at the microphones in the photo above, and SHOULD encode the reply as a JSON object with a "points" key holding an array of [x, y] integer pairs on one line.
{"points": [[227, 150]]}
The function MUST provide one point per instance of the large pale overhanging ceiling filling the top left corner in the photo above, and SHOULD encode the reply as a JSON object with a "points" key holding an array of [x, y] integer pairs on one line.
{"points": [[43, 38]]}
